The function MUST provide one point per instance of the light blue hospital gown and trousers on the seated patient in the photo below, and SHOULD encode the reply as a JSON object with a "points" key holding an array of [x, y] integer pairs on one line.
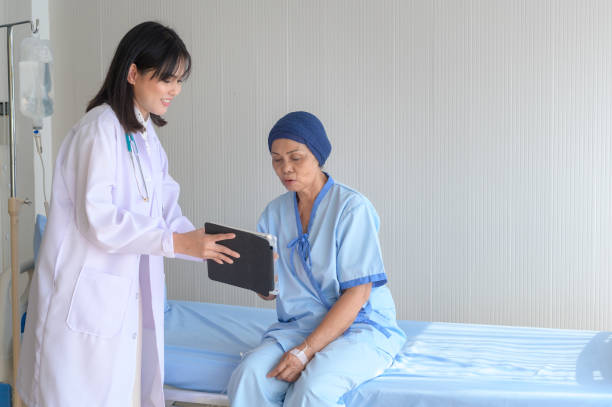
{"points": [[340, 250]]}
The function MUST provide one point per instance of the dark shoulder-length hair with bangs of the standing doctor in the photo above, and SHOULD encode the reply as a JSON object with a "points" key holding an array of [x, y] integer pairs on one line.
{"points": [[151, 46]]}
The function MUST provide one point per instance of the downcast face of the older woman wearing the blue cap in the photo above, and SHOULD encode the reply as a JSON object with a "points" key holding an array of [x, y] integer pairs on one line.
{"points": [[294, 164]]}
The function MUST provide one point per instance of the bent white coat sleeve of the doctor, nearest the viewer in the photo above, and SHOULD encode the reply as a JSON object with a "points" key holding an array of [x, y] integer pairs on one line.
{"points": [[91, 164]]}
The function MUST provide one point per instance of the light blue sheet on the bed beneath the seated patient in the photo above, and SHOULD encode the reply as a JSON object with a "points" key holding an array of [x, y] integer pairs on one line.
{"points": [[441, 365]]}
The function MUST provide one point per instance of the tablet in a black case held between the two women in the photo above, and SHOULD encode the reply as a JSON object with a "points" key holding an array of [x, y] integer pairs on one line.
{"points": [[254, 269]]}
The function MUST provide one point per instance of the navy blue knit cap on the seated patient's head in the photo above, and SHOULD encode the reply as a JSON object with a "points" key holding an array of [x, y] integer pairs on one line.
{"points": [[304, 128]]}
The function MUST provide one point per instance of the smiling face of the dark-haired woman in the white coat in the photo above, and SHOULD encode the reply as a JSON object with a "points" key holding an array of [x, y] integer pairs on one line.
{"points": [[153, 95]]}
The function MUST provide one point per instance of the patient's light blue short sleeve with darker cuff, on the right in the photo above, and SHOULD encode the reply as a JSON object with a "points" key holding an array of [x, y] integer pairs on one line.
{"points": [[359, 258]]}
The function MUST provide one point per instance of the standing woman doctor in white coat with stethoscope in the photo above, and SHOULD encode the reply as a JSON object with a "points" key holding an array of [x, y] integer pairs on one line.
{"points": [[94, 334]]}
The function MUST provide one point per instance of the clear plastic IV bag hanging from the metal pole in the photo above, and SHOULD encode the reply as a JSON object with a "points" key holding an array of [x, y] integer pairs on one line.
{"points": [[35, 90]]}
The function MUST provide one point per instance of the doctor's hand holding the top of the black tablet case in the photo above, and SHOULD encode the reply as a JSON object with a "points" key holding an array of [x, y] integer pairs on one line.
{"points": [[200, 244]]}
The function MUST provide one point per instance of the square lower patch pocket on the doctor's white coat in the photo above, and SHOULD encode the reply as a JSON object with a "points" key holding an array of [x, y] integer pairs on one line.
{"points": [[99, 303]]}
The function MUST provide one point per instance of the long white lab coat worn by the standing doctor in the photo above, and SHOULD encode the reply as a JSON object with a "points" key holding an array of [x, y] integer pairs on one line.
{"points": [[103, 247]]}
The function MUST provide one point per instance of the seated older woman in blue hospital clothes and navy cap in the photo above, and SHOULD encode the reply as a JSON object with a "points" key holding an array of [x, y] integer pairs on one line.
{"points": [[337, 324]]}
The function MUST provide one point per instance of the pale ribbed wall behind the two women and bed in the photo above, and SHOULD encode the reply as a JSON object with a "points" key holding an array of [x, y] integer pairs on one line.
{"points": [[480, 130]]}
